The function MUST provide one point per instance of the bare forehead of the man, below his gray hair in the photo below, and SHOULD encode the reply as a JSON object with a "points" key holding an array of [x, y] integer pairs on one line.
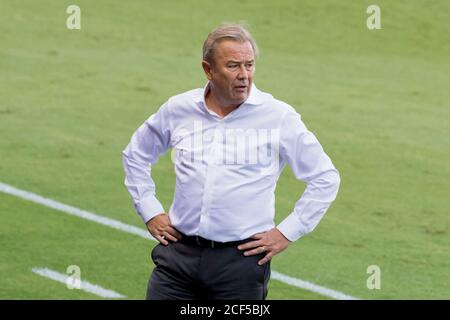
{"points": [[233, 50]]}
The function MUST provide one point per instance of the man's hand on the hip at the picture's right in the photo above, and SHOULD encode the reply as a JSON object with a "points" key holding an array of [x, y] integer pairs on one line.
{"points": [[271, 242]]}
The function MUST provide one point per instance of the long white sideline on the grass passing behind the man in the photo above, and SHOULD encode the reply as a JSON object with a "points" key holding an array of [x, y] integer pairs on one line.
{"points": [[295, 282]]}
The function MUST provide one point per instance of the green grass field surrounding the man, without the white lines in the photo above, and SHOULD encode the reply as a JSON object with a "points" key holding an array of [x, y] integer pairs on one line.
{"points": [[377, 100]]}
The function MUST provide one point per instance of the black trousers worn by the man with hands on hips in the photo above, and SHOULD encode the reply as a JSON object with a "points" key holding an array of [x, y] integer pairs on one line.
{"points": [[187, 270]]}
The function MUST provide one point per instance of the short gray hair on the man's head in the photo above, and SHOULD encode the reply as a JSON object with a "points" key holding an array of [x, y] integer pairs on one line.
{"points": [[230, 31]]}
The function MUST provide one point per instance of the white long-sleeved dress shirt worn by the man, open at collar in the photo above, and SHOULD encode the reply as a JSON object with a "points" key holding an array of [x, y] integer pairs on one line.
{"points": [[227, 168]]}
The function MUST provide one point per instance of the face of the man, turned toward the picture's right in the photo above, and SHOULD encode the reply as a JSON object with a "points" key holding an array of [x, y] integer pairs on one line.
{"points": [[231, 73]]}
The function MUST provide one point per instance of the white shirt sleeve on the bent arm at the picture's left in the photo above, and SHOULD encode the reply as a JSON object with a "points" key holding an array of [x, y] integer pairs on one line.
{"points": [[147, 144]]}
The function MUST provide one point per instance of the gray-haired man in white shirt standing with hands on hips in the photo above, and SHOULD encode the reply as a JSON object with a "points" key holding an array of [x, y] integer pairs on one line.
{"points": [[231, 143]]}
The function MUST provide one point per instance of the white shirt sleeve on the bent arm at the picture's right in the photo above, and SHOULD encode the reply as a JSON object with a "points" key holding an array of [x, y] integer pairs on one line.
{"points": [[303, 152]]}
